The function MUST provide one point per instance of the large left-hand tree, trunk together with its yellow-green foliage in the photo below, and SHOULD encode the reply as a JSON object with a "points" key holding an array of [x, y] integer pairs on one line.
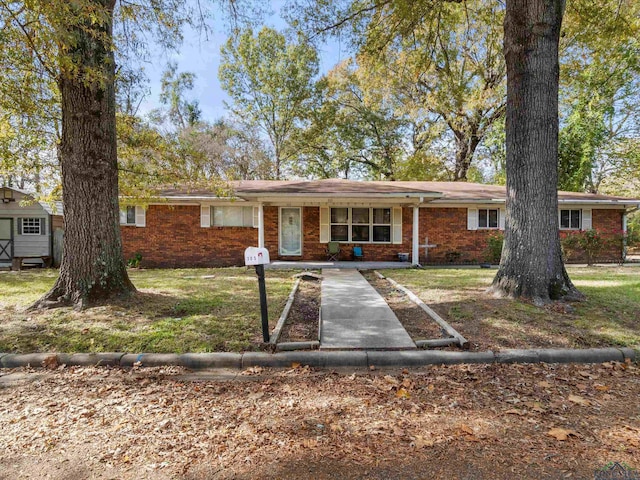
{"points": [[64, 73]]}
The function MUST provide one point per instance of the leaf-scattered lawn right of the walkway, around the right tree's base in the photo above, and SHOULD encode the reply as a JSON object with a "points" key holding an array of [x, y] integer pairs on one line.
{"points": [[609, 317]]}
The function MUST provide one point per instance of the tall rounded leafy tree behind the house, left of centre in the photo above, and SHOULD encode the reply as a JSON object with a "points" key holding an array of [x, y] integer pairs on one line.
{"points": [[270, 82]]}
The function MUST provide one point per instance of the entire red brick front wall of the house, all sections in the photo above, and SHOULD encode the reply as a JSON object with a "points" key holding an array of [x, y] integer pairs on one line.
{"points": [[173, 237]]}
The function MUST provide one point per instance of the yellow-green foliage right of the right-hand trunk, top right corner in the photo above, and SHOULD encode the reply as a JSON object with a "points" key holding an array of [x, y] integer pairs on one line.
{"points": [[600, 92]]}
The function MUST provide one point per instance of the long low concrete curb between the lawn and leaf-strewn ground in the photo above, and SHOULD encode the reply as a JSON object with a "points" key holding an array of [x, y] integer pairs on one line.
{"points": [[321, 359]]}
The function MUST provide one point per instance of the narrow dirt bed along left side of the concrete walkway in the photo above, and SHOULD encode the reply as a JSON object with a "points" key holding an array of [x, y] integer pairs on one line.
{"points": [[302, 321]]}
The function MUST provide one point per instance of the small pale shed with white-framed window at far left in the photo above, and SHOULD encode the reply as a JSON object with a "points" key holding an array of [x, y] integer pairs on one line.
{"points": [[26, 229]]}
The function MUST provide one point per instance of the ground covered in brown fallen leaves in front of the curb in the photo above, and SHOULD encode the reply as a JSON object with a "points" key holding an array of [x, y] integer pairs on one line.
{"points": [[459, 422]]}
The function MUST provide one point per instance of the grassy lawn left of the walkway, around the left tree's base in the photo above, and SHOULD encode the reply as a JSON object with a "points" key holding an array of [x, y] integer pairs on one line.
{"points": [[190, 310]]}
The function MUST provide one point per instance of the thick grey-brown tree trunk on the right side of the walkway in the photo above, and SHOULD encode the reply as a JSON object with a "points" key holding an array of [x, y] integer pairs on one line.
{"points": [[531, 265]]}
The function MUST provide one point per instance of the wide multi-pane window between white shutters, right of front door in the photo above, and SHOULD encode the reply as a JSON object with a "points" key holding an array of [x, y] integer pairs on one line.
{"points": [[361, 225]]}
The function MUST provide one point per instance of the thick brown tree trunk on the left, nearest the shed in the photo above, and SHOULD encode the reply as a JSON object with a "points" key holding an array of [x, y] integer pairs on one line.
{"points": [[92, 265]]}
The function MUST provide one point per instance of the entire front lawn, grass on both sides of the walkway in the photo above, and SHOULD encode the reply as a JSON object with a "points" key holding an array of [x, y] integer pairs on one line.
{"points": [[180, 311]]}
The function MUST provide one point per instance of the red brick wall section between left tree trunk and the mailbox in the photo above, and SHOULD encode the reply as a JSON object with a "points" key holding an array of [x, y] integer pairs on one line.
{"points": [[173, 238]]}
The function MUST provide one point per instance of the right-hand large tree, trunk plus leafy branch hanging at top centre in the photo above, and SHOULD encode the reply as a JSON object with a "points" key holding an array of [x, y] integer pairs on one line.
{"points": [[531, 264]]}
